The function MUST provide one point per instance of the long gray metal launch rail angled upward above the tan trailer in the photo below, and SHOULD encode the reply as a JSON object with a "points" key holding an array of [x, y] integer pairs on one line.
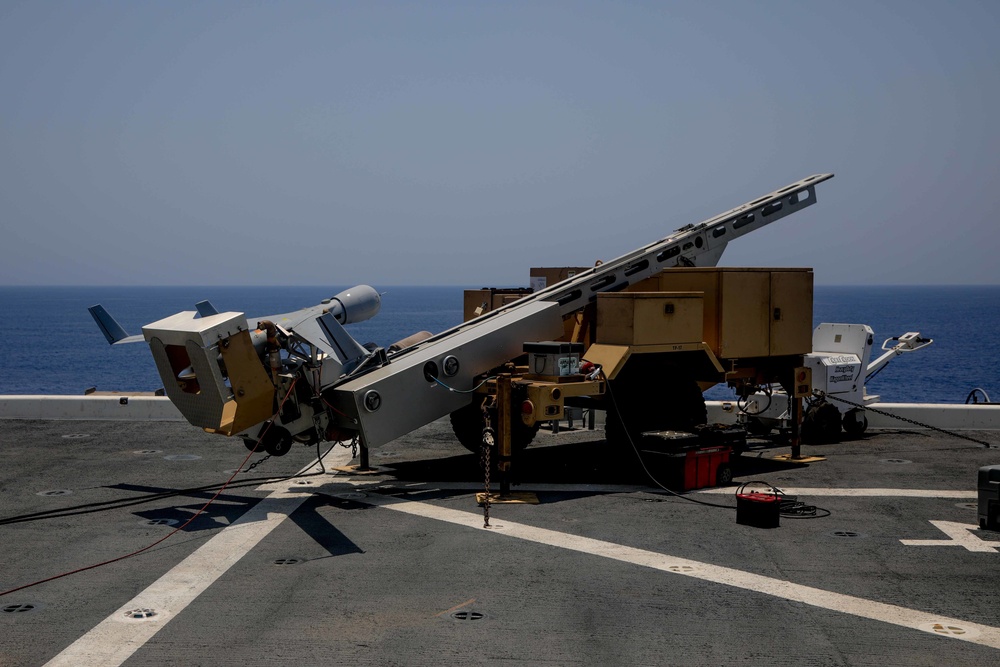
{"points": [[406, 400]]}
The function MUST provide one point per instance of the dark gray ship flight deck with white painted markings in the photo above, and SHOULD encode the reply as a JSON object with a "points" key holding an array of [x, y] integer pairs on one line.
{"points": [[396, 568]]}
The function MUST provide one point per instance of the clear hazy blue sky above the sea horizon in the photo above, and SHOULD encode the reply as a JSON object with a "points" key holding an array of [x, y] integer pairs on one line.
{"points": [[464, 142]]}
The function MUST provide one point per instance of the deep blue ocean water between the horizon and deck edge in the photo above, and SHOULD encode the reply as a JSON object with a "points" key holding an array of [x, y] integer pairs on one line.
{"points": [[50, 345]]}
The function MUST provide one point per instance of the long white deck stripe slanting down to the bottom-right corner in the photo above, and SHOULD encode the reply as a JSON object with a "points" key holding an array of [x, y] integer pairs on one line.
{"points": [[817, 597]]}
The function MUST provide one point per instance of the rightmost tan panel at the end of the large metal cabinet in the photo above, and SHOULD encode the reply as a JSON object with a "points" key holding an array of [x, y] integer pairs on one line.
{"points": [[791, 312]]}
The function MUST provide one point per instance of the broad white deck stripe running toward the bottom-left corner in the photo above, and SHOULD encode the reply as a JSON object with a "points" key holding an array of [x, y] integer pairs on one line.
{"points": [[116, 638]]}
